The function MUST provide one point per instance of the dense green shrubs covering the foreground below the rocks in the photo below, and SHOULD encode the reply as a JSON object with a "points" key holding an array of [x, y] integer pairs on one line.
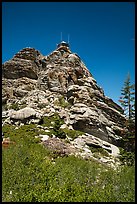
{"points": [[30, 173]]}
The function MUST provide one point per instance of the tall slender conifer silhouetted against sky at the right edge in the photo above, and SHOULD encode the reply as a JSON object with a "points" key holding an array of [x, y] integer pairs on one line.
{"points": [[127, 99]]}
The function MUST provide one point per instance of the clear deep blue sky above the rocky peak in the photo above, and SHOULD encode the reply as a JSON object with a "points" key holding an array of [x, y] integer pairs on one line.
{"points": [[101, 33]]}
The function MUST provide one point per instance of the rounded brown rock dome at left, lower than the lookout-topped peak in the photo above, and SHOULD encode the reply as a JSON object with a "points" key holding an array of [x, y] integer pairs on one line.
{"points": [[23, 64]]}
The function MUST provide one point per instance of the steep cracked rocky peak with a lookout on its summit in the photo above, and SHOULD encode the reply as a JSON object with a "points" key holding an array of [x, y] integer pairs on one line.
{"points": [[60, 82]]}
